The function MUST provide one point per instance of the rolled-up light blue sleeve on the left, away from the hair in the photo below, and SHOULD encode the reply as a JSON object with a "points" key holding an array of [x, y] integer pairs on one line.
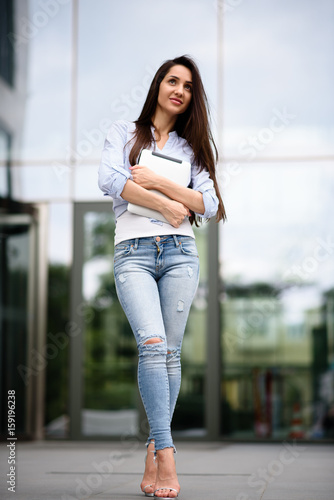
{"points": [[113, 173]]}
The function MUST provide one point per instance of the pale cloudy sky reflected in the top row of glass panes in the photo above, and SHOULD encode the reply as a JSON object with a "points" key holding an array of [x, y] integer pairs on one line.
{"points": [[275, 57]]}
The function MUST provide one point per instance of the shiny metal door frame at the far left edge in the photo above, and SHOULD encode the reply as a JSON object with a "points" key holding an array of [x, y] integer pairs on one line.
{"points": [[33, 372]]}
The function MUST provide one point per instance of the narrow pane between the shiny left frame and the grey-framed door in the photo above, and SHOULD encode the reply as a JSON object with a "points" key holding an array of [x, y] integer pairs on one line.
{"points": [[57, 370]]}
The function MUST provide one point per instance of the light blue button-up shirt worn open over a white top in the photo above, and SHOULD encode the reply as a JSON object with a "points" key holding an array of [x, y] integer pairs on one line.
{"points": [[114, 169]]}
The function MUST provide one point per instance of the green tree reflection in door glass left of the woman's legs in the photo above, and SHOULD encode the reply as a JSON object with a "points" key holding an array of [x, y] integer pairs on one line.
{"points": [[110, 349]]}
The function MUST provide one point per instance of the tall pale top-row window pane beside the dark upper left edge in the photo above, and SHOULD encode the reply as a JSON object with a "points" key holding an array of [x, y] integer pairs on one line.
{"points": [[45, 32]]}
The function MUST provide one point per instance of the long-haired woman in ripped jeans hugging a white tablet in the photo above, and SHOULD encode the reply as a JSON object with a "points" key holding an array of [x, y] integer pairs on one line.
{"points": [[156, 264]]}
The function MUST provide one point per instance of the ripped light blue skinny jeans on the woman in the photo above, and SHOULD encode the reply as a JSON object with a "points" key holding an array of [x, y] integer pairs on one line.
{"points": [[156, 280]]}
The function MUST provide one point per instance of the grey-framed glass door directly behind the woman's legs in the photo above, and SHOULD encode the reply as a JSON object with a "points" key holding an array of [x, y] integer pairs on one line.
{"points": [[104, 399]]}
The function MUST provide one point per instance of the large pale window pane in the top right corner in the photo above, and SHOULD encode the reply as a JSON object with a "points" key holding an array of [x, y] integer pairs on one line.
{"points": [[278, 78]]}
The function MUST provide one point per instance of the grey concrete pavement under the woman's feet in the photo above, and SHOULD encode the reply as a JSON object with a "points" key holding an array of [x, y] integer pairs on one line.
{"points": [[65, 470]]}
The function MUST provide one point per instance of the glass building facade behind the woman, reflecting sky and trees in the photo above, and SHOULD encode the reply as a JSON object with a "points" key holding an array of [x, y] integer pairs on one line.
{"points": [[258, 352]]}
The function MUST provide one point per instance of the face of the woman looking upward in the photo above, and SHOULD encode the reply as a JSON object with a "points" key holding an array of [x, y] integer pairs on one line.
{"points": [[175, 90]]}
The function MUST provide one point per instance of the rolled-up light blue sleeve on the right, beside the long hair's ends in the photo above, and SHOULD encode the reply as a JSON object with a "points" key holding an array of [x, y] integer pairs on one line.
{"points": [[201, 181]]}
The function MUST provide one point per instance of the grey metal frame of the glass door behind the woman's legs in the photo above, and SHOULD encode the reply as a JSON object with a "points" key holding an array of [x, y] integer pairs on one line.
{"points": [[77, 324]]}
